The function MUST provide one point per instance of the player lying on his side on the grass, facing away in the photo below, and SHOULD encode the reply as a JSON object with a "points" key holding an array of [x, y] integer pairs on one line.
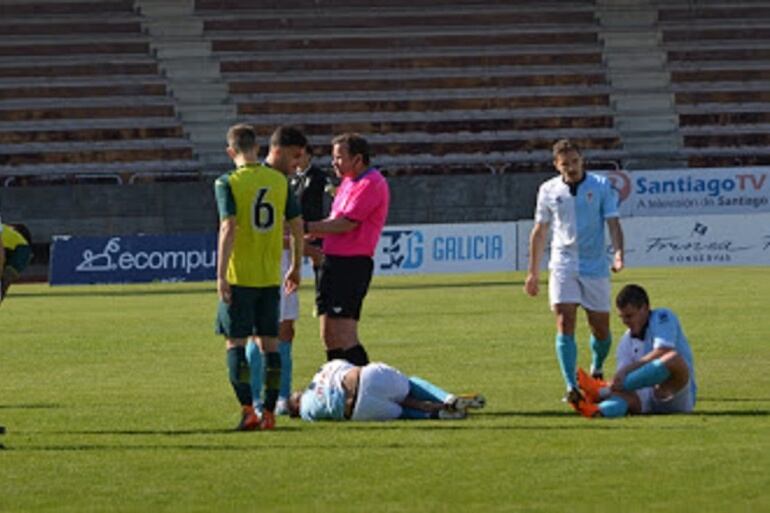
{"points": [[376, 391]]}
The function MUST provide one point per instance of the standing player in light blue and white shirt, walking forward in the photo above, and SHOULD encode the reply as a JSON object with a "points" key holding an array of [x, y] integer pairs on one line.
{"points": [[576, 205]]}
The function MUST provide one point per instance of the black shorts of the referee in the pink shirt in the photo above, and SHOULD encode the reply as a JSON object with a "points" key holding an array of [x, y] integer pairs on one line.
{"points": [[342, 285]]}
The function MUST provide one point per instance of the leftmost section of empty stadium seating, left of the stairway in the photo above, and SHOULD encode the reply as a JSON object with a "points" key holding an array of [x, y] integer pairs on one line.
{"points": [[82, 97]]}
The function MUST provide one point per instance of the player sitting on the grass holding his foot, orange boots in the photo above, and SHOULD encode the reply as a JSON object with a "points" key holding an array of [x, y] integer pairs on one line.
{"points": [[655, 364]]}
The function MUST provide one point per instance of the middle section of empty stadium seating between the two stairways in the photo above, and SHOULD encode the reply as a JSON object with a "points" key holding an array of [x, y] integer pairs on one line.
{"points": [[438, 87]]}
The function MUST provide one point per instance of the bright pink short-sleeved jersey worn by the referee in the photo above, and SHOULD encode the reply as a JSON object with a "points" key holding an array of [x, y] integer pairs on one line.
{"points": [[364, 199]]}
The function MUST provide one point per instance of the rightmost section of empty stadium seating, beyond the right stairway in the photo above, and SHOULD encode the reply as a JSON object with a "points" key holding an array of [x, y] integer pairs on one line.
{"points": [[719, 57]]}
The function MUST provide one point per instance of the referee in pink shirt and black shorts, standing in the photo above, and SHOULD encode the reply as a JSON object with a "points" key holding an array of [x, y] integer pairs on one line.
{"points": [[350, 236]]}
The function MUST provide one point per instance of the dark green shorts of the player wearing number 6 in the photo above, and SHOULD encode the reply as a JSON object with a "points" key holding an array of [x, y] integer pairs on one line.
{"points": [[252, 311]]}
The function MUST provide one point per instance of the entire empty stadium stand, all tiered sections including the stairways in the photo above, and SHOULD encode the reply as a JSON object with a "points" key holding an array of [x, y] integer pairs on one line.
{"points": [[119, 90]]}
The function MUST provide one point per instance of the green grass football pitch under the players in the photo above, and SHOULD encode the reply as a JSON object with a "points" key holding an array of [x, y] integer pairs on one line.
{"points": [[116, 399]]}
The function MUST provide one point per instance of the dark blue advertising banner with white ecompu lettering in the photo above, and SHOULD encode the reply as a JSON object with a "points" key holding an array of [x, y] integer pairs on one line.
{"points": [[132, 259]]}
